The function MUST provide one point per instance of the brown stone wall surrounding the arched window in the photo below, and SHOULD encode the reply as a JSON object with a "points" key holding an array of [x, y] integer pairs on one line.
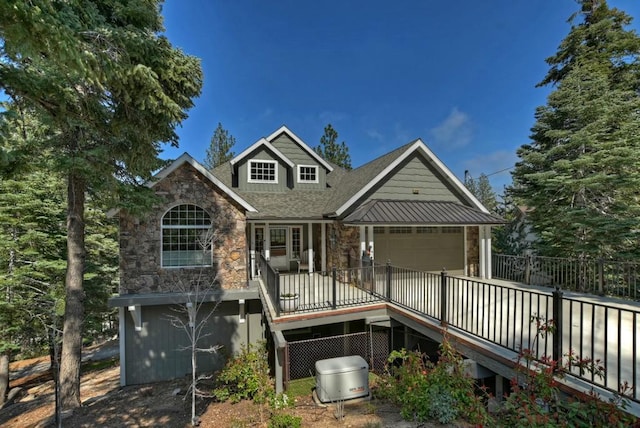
{"points": [[140, 239]]}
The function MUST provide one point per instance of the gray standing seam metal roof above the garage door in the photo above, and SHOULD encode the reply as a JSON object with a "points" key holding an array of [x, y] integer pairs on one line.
{"points": [[419, 212]]}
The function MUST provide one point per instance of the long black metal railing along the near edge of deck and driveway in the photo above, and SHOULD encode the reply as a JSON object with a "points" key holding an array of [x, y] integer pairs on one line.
{"points": [[514, 318]]}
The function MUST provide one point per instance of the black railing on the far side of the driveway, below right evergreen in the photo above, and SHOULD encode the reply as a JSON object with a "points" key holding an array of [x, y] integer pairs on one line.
{"points": [[595, 276]]}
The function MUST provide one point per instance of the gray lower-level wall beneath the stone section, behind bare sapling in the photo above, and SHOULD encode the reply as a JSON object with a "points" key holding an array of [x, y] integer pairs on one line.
{"points": [[154, 354]]}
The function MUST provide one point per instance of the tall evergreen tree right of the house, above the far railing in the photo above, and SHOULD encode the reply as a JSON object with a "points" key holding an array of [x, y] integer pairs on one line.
{"points": [[581, 172]]}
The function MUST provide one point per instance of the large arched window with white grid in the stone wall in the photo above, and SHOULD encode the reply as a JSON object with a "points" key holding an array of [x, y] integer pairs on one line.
{"points": [[186, 237]]}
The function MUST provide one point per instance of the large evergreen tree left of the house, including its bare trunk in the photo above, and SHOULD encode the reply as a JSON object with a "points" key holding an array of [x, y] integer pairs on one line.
{"points": [[111, 89]]}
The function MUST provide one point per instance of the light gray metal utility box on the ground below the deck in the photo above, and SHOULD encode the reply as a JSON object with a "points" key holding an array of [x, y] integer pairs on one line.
{"points": [[342, 378]]}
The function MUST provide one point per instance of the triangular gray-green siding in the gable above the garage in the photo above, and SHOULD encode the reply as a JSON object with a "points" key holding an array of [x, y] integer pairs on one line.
{"points": [[416, 175]]}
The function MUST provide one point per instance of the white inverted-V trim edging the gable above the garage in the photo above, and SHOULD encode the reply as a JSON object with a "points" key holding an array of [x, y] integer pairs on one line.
{"points": [[417, 145]]}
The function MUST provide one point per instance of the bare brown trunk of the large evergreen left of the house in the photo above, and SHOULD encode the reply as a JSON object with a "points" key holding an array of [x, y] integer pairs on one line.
{"points": [[74, 295]]}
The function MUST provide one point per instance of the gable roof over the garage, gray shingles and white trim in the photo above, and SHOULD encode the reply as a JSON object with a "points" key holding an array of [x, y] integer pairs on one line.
{"points": [[360, 181]]}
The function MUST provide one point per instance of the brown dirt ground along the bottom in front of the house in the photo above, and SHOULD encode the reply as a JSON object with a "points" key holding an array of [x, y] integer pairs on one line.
{"points": [[106, 404]]}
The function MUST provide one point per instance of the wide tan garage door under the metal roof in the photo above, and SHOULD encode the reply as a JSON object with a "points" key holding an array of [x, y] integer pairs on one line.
{"points": [[420, 248]]}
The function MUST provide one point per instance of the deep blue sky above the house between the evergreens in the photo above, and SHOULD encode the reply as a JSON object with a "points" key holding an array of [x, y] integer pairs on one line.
{"points": [[459, 74]]}
